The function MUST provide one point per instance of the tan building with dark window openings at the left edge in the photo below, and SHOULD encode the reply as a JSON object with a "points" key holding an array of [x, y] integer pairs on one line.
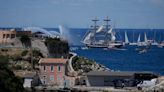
{"points": [[7, 36]]}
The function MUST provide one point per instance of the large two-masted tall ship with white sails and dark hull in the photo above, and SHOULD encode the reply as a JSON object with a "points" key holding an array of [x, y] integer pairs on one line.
{"points": [[101, 36]]}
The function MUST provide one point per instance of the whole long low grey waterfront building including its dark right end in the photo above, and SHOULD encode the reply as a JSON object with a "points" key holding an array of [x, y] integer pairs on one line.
{"points": [[117, 79]]}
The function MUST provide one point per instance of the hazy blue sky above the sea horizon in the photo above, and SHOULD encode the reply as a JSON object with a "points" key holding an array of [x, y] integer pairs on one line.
{"points": [[78, 13]]}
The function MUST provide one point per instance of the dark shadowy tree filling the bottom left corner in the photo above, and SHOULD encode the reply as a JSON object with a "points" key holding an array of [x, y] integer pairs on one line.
{"points": [[8, 81]]}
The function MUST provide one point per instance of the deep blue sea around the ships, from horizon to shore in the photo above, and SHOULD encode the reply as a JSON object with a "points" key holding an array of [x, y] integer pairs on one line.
{"points": [[127, 58]]}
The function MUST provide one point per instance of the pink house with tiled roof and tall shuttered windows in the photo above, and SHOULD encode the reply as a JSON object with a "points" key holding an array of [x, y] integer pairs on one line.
{"points": [[52, 71]]}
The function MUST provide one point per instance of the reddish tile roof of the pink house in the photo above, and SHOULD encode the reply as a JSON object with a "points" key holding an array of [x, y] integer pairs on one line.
{"points": [[52, 60]]}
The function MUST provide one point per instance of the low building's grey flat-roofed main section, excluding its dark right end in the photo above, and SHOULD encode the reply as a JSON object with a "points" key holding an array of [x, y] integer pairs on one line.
{"points": [[108, 78]]}
